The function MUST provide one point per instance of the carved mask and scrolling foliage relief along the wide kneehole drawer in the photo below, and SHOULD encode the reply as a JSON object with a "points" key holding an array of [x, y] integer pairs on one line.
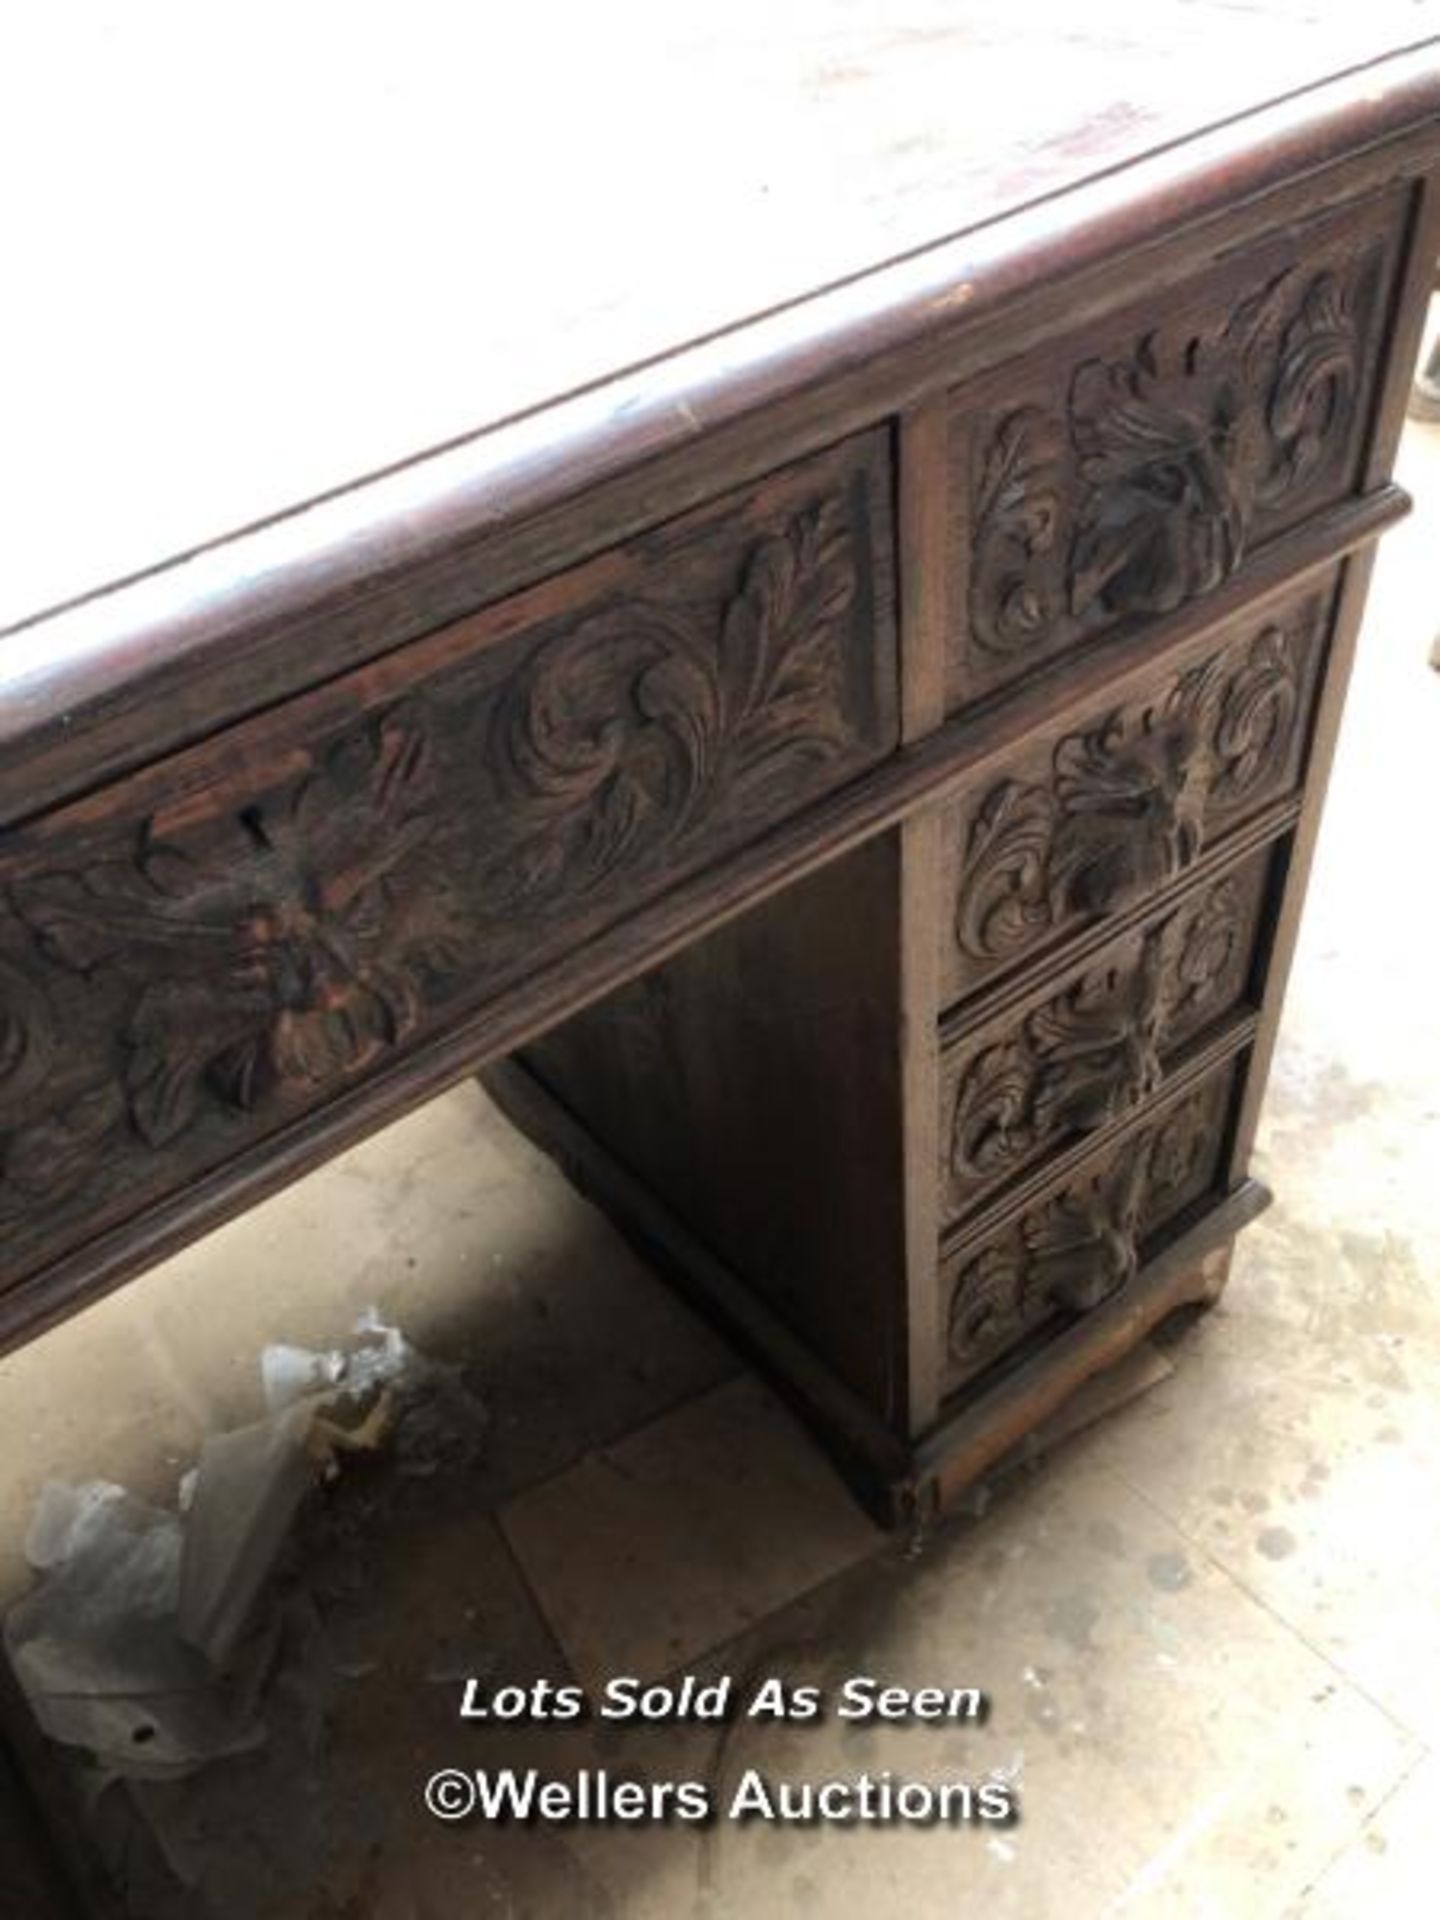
{"points": [[274, 951]]}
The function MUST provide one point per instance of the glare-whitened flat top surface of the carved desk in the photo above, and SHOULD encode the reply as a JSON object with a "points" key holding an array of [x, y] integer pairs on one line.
{"points": [[264, 252]]}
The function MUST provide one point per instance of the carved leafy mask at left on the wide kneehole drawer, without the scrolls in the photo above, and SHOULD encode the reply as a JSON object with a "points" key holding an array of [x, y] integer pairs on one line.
{"points": [[285, 948]]}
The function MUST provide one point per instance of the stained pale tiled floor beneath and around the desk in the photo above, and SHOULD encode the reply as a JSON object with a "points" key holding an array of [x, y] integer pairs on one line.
{"points": [[1211, 1625]]}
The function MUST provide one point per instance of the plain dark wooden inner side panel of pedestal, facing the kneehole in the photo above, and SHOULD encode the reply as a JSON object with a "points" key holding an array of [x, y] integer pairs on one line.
{"points": [[754, 1084]]}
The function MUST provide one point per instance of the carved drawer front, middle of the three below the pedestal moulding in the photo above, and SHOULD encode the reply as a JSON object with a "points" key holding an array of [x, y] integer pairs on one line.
{"points": [[1088, 1049]]}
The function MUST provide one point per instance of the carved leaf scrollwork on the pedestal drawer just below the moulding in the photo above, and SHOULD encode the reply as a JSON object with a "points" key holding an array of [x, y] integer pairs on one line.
{"points": [[1128, 804]]}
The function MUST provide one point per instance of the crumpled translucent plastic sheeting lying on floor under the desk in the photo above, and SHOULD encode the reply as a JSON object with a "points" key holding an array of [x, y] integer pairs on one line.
{"points": [[151, 1637]]}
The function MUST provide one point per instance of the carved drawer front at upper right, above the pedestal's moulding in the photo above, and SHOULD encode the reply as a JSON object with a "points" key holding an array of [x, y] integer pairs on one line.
{"points": [[1130, 473]]}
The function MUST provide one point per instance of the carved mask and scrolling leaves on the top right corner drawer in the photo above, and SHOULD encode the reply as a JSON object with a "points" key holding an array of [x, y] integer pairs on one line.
{"points": [[1141, 494]]}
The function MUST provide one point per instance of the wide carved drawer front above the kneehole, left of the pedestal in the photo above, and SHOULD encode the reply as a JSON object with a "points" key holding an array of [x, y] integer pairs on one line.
{"points": [[228, 940]]}
